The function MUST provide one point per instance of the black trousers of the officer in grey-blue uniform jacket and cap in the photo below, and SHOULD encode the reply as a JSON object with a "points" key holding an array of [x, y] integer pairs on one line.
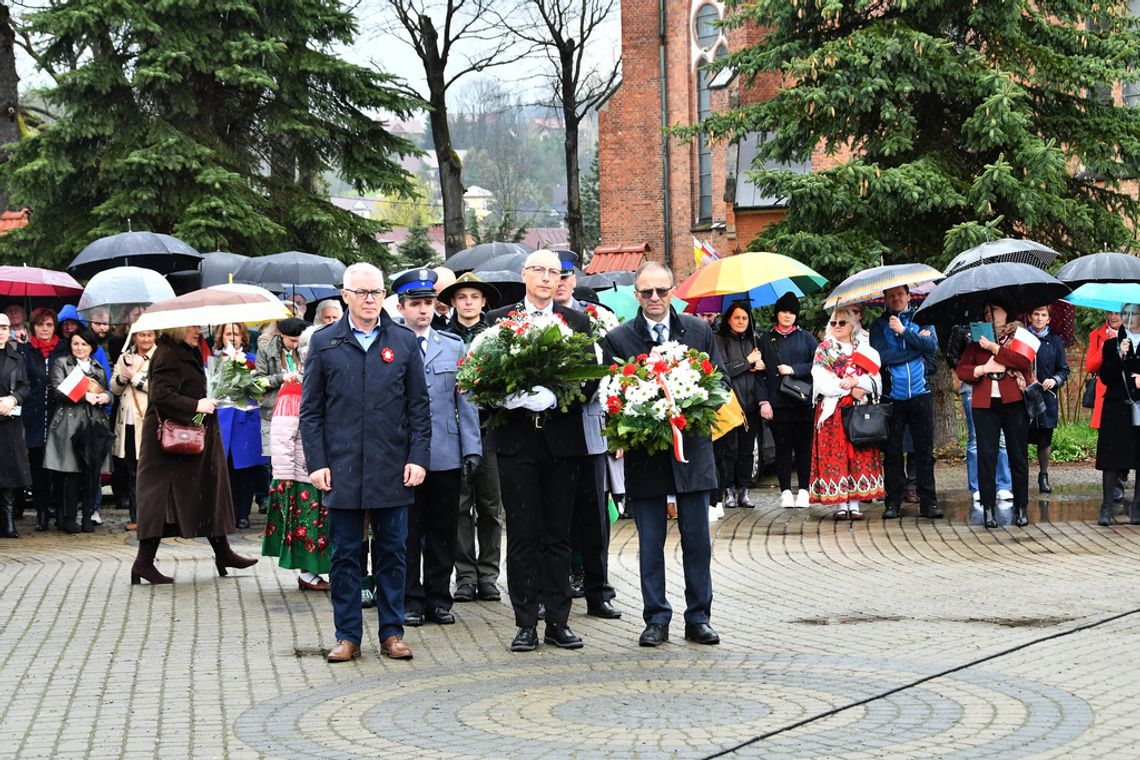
{"points": [[433, 526]]}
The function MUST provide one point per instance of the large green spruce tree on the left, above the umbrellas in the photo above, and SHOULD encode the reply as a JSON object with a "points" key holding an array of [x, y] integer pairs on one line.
{"points": [[211, 121]]}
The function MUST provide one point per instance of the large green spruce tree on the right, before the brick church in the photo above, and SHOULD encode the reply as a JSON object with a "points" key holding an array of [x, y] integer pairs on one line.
{"points": [[952, 122]]}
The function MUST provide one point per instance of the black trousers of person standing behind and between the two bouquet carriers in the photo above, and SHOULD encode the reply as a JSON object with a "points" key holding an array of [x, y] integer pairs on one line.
{"points": [[591, 529]]}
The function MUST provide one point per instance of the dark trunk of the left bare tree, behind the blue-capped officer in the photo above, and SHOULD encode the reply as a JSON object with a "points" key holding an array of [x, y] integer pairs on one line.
{"points": [[451, 169]]}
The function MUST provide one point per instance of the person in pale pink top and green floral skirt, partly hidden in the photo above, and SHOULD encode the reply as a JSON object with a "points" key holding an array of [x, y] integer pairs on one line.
{"points": [[297, 528]]}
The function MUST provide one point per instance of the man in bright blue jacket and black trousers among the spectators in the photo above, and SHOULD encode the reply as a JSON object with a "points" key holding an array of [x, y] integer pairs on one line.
{"points": [[902, 348]]}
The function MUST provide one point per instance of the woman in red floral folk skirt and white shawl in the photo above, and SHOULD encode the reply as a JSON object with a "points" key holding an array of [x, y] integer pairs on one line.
{"points": [[845, 372]]}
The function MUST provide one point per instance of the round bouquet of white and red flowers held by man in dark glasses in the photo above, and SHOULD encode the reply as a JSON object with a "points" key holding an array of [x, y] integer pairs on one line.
{"points": [[653, 398]]}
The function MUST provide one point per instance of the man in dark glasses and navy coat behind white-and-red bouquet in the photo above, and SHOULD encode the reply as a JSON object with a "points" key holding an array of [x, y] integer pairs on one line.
{"points": [[650, 478]]}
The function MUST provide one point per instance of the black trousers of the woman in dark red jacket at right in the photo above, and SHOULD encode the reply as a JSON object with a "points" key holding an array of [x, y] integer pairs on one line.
{"points": [[989, 424]]}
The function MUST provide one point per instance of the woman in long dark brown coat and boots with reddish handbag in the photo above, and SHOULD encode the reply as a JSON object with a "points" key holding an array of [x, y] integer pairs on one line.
{"points": [[186, 496]]}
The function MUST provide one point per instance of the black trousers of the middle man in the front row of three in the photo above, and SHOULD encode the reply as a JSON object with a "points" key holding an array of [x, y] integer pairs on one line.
{"points": [[539, 493]]}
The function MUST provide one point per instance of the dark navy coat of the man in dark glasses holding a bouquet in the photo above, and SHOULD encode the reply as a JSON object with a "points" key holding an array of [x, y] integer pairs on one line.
{"points": [[661, 475]]}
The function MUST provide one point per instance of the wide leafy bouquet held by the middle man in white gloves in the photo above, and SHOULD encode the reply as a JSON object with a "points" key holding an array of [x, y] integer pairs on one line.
{"points": [[525, 352]]}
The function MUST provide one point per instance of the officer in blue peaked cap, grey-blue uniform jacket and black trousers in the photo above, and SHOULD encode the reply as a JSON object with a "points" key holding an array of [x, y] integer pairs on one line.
{"points": [[457, 454]]}
